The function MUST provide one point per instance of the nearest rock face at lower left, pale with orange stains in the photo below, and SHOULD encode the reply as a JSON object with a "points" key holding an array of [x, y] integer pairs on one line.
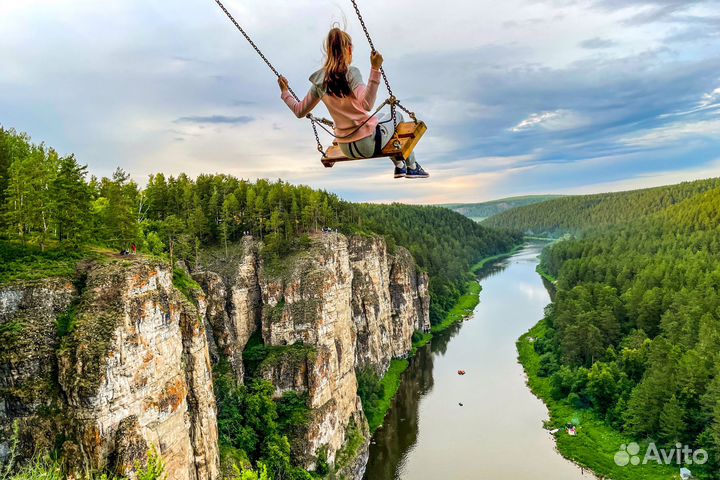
{"points": [[133, 372]]}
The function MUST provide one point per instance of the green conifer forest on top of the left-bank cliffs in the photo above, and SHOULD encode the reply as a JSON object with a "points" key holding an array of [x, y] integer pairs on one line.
{"points": [[52, 213]]}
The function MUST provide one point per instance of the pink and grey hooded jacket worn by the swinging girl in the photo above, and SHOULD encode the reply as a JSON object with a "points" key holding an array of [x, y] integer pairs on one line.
{"points": [[348, 112]]}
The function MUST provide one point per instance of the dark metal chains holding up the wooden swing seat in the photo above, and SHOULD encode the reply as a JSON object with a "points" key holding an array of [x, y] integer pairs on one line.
{"points": [[319, 121]]}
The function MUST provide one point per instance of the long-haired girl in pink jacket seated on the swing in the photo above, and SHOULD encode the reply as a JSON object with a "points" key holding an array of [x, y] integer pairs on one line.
{"points": [[349, 101]]}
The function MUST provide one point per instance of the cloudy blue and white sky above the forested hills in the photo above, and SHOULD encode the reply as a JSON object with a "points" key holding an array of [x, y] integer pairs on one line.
{"points": [[520, 96]]}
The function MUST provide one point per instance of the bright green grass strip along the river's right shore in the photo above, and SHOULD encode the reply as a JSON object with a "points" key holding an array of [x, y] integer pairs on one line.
{"points": [[596, 443]]}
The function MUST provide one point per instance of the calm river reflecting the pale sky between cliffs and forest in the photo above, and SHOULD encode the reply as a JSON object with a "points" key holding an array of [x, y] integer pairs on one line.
{"points": [[498, 432]]}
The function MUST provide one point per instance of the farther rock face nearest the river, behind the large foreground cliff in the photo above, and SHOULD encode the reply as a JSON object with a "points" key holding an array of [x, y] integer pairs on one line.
{"points": [[341, 305]]}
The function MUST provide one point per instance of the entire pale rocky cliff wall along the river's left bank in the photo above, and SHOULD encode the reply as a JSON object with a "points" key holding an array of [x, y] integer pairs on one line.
{"points": [[120, 361]]}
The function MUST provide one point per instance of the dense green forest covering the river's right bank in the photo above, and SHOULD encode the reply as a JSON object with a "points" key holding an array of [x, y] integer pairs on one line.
{"points": [[633, 333]]}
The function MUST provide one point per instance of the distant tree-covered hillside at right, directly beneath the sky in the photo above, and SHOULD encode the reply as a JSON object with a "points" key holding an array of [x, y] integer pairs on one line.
{"points": [[577, 213]]}
